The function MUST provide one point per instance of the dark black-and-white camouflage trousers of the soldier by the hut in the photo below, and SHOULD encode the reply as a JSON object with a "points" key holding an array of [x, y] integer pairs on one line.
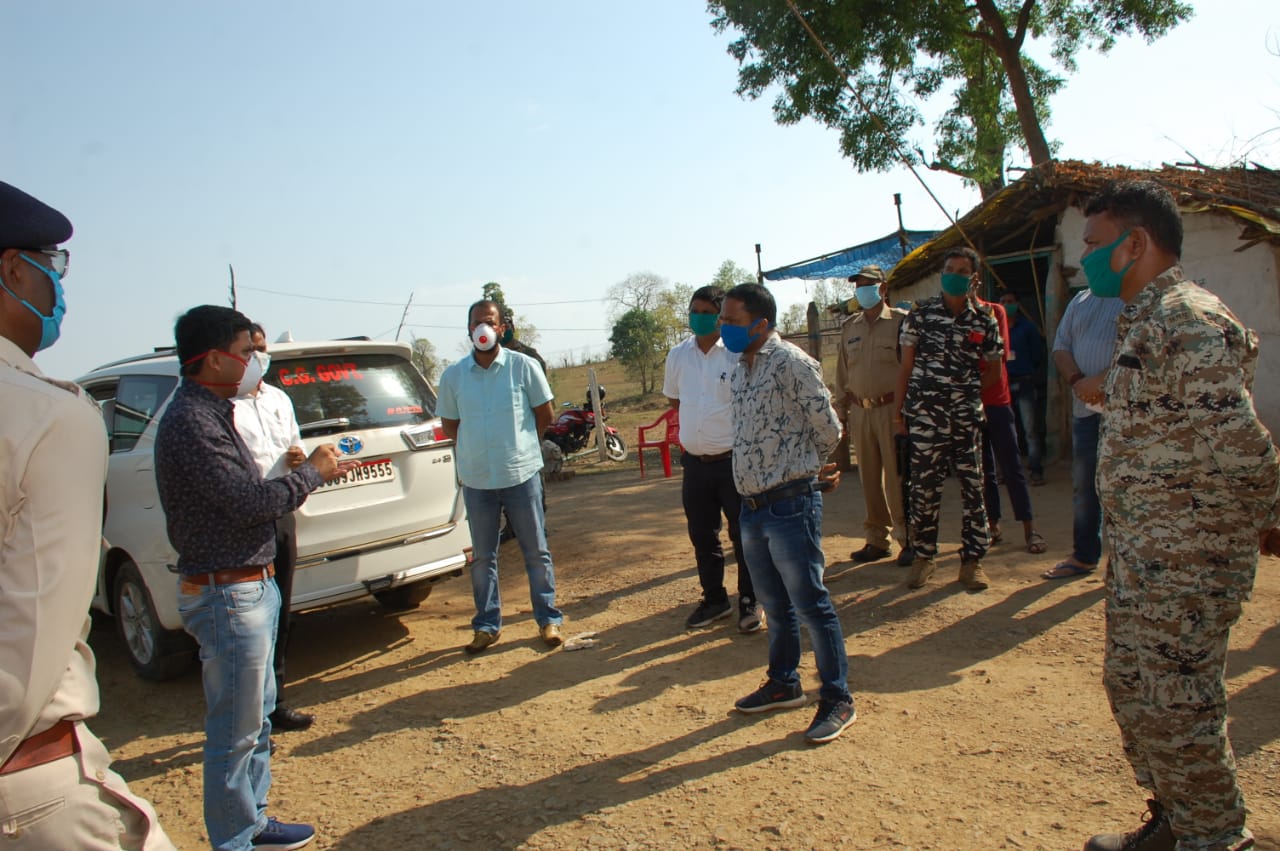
{"points": [[939, 445]]}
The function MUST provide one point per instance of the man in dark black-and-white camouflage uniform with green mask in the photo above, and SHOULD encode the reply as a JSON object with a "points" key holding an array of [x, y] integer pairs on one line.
{"points": [[950, 353]]}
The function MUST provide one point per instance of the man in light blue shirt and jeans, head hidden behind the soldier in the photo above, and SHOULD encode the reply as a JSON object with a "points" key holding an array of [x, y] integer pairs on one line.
{"points": [[1084, 347]]}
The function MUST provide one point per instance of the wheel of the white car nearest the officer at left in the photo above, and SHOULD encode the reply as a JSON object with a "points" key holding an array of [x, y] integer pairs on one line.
{"points": [[154, 652]]}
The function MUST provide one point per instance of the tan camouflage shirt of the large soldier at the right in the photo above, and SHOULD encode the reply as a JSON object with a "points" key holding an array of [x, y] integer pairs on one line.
{"points": [[1187, 474]]}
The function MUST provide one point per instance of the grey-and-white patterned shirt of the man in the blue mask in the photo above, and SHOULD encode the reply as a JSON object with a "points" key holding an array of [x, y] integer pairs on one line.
{"points": [[784, 424]]}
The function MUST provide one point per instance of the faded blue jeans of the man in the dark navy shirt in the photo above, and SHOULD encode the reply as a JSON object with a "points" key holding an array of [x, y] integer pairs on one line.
{"points": [[236, 629]]}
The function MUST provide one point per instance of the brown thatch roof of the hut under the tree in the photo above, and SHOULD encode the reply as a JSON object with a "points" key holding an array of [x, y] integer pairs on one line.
{"points": [[1023, 216]]}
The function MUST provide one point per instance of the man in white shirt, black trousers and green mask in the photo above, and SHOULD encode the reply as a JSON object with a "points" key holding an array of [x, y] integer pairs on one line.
{"points": [[697, 385]]}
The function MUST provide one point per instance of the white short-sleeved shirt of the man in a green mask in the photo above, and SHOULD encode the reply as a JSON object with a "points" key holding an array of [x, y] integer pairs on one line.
{"points": [[702, 383]]}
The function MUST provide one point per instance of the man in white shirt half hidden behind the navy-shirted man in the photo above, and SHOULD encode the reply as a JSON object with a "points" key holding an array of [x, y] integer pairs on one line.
{"points": [[266, 422]]}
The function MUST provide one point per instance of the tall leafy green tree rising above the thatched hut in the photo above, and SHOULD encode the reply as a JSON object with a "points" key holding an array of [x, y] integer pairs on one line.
{"points": [[911, 51]]}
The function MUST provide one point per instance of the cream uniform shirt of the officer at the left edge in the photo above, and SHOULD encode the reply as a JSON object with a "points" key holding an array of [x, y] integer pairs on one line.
{"points": [[53, 468]]}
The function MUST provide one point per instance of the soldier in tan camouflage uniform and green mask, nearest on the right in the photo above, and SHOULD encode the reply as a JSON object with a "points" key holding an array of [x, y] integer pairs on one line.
{"points": [[1190, 487]]}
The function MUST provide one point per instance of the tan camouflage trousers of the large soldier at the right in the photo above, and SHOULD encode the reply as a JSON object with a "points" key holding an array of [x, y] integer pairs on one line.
{"points": [[1164, 675]]}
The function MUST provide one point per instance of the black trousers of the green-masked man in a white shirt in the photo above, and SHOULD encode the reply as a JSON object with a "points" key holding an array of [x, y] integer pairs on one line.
{"points": [[708, 492]]}
